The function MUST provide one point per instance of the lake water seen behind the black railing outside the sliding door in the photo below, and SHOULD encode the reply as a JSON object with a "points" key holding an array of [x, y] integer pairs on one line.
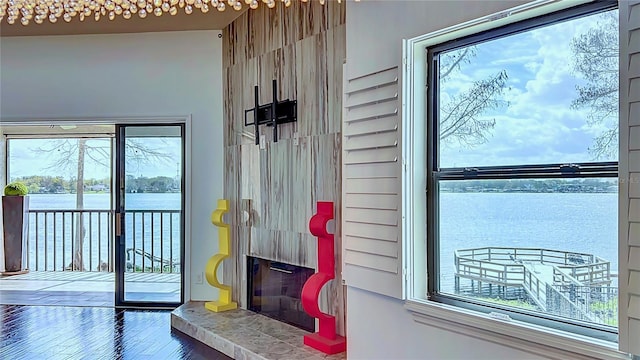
{"points": [[146, 232]]}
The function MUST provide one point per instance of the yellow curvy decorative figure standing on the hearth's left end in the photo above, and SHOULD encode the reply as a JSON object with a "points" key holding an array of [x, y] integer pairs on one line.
{"points": [[211, 271]]}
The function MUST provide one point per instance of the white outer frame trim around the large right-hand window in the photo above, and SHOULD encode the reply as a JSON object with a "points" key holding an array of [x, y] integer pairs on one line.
{"points": [[425, 307]]}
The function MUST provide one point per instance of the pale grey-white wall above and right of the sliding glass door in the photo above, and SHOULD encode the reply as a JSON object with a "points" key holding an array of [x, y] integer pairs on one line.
{"points": [[149, 74]]}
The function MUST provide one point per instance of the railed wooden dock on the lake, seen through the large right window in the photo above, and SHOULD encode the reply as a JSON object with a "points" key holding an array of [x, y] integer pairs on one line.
{"points": [[564, 283]]}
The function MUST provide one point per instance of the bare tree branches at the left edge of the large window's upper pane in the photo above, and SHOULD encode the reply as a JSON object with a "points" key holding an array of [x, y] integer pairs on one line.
{"points": [[461, 114]]}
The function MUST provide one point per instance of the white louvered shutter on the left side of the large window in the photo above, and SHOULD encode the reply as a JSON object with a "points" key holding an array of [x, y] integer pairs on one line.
{"points": [[371, 153]]}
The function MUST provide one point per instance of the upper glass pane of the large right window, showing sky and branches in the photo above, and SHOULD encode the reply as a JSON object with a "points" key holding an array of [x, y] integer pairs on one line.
{"points": [[548, 95]]}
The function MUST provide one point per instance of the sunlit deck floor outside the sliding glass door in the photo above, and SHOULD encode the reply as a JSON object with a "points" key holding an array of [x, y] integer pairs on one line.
{"points": [[86, 288]]}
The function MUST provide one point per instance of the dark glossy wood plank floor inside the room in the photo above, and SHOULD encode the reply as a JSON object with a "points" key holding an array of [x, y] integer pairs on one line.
{"points": [[58, 332]]}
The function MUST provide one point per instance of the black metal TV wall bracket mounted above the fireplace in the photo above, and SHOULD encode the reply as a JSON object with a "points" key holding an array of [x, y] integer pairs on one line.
{"points": [[272, 114]]}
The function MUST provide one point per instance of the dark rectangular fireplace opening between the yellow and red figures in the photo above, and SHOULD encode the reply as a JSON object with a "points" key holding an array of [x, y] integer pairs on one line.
{"points": [[274, 290]]}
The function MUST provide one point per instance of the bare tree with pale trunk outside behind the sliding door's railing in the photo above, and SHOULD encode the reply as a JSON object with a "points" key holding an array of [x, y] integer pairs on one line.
{"points": [[73, 153]]}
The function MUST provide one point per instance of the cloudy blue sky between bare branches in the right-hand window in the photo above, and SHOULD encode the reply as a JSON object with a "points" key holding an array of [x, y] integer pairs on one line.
{"points": [[538, 125]]}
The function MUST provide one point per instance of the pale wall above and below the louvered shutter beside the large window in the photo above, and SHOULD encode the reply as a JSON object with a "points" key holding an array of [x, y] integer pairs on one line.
{"points": [[379, 327]]}
